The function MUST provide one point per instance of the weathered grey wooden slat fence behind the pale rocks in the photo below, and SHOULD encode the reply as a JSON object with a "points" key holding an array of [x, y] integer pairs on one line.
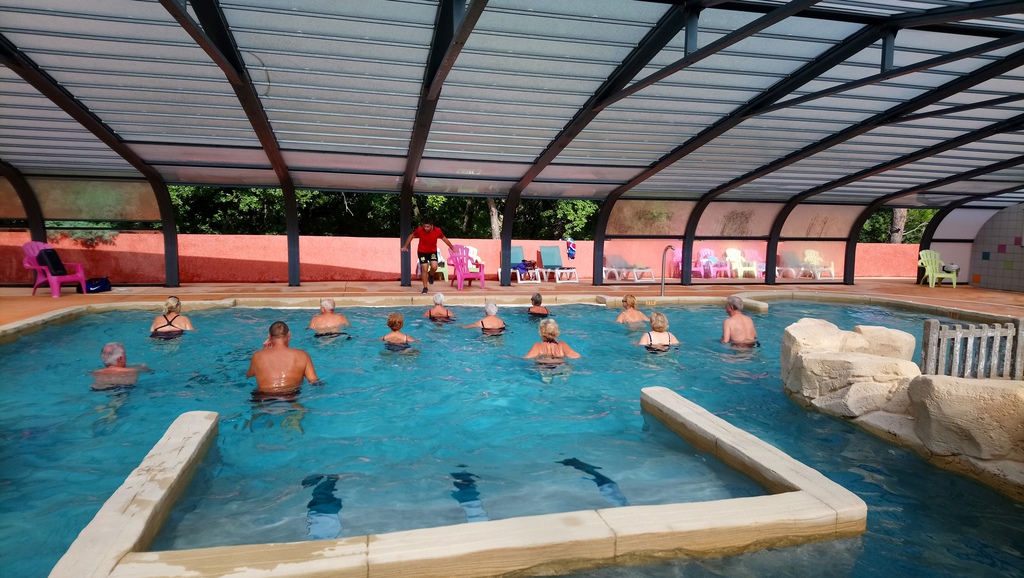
{"points": [[974, 352]]}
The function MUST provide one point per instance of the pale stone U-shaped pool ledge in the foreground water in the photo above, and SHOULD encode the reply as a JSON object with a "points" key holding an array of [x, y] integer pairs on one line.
{"points": [[804, 507]]}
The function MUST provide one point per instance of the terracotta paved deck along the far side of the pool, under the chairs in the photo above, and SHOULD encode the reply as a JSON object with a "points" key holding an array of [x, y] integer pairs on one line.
{"points": [[17, 304]]}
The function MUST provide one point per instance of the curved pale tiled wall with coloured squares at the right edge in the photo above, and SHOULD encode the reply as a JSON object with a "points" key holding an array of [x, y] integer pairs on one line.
{"points": [[998, 258]]}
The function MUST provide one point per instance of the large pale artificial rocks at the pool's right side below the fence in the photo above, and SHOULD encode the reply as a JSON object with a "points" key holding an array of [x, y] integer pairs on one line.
{"points": [[975, 427]]}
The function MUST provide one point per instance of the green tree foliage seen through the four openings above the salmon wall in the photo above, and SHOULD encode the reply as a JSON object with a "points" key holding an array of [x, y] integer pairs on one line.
{"points": [[262, 212]]}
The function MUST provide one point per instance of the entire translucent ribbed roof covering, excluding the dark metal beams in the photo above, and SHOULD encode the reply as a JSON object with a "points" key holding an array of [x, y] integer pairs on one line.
{"points": [[342, 85]]}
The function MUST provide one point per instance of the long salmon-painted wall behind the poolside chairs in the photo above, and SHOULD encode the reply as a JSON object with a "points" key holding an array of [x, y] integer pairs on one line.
{"points": [[139, 258]]}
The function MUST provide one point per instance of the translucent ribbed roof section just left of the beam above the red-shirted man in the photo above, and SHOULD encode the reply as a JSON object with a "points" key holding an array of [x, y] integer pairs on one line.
{"points": [[340, 77]]}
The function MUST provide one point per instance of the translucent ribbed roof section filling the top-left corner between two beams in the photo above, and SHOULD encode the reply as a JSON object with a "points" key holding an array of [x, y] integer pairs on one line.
{"points": [[107, 54]]}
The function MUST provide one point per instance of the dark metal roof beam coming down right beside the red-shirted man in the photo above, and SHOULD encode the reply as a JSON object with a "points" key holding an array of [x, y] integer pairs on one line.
{"points": [[454, 25]]}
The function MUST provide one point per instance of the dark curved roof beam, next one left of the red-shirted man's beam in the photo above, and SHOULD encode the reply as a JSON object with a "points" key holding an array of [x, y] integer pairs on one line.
{"points": [[212, 34]]}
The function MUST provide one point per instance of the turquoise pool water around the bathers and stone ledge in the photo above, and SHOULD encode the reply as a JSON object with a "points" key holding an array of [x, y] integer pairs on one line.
{"points": [[500, 440]]}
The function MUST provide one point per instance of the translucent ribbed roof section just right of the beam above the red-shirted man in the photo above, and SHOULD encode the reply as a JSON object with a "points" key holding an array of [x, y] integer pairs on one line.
{"points": [[536, 64]]}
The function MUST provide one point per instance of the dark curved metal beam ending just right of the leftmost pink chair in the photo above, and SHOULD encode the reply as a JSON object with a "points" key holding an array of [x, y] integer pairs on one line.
{"points": [[24, 67]]}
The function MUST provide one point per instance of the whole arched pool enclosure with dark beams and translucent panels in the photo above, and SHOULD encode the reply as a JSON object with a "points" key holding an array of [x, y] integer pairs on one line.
{"points": [[779, 128]]}
